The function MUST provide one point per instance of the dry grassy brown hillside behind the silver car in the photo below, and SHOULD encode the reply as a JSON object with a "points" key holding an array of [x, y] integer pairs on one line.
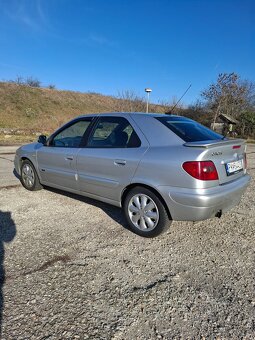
{"points": [[30, 109]]}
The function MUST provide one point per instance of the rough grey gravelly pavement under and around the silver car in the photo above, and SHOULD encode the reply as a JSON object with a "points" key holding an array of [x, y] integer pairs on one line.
{"points": [[73, 271]]}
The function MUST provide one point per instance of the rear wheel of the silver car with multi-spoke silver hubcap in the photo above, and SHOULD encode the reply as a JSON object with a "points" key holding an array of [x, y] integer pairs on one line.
{"points": [[145, 213]]}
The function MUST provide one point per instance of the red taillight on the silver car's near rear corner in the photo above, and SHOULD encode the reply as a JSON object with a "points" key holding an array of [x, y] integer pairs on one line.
{"points": [[203, 170]]}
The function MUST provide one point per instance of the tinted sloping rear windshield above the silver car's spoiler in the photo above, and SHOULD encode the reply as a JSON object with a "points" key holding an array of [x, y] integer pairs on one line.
{"points": [[188, 130]]}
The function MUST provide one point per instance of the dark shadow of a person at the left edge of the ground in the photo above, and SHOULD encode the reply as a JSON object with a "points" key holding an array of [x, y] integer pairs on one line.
{"points": [[7, 234]]}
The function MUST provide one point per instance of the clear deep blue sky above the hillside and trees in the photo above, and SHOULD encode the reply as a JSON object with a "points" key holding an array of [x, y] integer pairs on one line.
{"points": [[108, 46]]}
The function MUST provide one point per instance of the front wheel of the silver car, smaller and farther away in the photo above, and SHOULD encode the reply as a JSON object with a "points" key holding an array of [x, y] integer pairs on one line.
{"points": [[28, 176]]}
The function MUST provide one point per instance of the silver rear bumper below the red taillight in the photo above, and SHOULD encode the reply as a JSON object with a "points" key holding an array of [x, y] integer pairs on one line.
{"points": [[200, 204]]}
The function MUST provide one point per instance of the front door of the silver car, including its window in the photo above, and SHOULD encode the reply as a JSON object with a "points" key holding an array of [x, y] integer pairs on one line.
{"points": [[57, 160]]}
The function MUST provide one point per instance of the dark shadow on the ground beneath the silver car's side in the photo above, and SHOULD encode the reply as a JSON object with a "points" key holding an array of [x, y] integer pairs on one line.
{"points": [[114, 212]]}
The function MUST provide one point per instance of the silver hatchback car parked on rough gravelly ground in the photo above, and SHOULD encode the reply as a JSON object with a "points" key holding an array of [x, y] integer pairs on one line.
{"points": [[156, 167]]}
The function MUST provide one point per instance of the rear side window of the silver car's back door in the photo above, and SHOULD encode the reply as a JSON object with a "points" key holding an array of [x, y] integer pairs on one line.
{"points": [[113, 132]]}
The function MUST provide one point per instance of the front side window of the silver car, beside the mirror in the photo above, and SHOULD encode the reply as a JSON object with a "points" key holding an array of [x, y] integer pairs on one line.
{"points": [[71, 136]]}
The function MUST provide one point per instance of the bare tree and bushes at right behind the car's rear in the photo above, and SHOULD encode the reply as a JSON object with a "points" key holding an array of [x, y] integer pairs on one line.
{"points": [[229, 95]]}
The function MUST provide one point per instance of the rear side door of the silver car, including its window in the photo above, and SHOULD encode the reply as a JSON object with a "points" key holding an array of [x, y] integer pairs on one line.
{"points": [[108, 162]]}
